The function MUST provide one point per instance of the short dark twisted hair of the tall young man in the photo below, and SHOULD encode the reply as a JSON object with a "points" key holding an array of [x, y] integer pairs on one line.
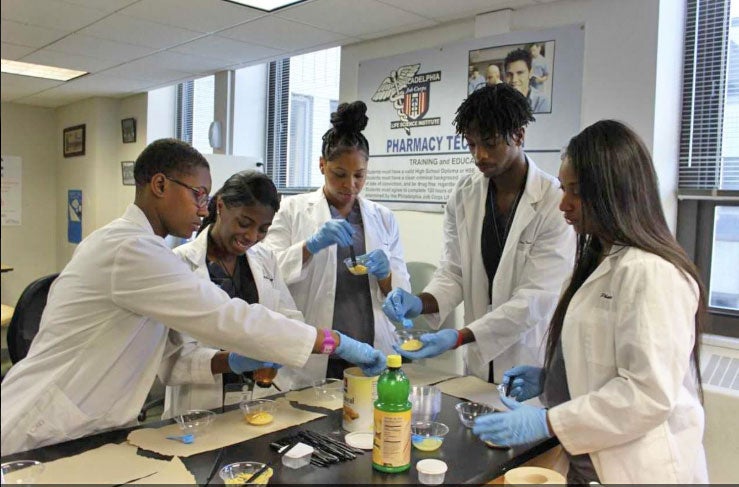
{"points": [[498, 110]]}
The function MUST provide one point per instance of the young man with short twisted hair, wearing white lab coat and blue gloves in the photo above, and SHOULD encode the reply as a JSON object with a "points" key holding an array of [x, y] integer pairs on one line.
{"points": [[506, 250]]}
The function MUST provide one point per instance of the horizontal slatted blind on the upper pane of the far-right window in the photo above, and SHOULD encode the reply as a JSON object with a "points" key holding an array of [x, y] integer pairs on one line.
{"points": [[709, 138]]}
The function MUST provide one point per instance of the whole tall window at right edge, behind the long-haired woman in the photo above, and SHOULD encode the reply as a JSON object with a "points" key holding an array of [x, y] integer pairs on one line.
{"points": [[708, 211]]}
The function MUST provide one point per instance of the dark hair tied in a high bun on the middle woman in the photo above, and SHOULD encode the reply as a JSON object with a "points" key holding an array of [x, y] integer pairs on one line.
{"points": [[345, 135]]}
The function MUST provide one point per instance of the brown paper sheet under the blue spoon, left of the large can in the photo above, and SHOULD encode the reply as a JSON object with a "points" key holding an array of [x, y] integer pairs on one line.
{"points": [[227, 429]]}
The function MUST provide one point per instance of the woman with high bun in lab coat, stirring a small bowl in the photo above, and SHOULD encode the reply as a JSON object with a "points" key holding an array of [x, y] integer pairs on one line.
{"points": [[311, 235]]}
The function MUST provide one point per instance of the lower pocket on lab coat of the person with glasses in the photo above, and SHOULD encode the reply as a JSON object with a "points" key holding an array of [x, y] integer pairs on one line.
{"points": [[55, 418]]}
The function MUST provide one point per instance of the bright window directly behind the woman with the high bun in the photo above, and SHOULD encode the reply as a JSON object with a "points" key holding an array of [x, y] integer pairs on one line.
{"points": [[303, 91]]}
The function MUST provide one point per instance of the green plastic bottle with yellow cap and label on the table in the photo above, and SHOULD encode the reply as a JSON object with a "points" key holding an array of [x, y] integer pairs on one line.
{"points": [[391, 450]]}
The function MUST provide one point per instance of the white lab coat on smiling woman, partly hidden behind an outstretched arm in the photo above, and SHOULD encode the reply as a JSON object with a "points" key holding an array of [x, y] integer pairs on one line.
{"points": [[192, 385]]}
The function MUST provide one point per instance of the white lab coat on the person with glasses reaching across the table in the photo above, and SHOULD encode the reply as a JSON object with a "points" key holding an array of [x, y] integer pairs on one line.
{"points": [[104, 329]]}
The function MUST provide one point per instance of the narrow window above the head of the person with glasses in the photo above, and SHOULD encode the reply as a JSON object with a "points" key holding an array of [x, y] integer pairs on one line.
{"points": [[195, 105]]}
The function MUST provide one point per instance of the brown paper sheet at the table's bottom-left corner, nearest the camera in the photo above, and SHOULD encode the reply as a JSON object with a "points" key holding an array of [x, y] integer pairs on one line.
{"points": [[110, 464]]}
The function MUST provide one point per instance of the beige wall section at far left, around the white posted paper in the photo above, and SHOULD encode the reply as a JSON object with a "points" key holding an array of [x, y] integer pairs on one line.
{"points": [[30, 248]]}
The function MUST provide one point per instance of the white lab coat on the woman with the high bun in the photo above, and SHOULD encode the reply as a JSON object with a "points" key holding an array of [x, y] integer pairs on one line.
{"points": [[313, 286]]}
